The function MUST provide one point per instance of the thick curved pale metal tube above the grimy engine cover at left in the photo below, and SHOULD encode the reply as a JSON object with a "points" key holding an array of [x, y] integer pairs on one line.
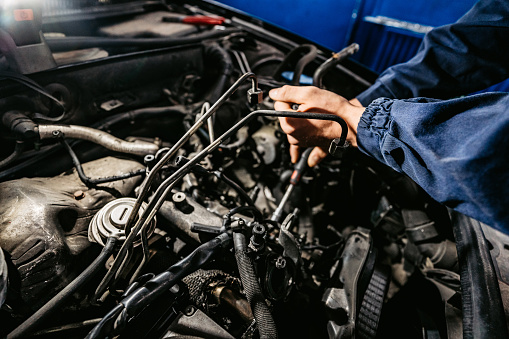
{"points": [[96, 136]]}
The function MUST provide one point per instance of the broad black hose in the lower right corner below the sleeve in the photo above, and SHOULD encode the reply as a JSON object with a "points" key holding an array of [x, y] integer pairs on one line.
{"points": [[483, 311]]}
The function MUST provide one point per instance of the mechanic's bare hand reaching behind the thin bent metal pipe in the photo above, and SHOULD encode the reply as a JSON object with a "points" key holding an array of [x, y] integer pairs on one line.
{"points": [[309, 132]]}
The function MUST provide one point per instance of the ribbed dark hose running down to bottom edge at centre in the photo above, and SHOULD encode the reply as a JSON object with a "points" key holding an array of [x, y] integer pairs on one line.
{"points": [[265, 322]]}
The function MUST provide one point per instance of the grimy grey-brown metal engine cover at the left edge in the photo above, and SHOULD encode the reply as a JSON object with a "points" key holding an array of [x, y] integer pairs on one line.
{"points": [[44, 227]]}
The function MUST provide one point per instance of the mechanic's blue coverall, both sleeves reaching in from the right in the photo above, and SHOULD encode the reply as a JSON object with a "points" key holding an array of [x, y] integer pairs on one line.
{"points": [[456, 148]]}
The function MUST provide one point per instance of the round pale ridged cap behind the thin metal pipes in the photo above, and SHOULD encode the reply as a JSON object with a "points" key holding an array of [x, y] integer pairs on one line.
{"points": [[111, 220]]}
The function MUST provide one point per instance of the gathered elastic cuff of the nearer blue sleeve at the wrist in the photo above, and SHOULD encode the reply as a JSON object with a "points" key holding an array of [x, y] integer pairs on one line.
{"points": [[373, 125]]}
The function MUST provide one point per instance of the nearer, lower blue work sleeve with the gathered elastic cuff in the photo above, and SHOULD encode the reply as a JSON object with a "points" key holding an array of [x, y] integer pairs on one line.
{"points": [[456, 150]]}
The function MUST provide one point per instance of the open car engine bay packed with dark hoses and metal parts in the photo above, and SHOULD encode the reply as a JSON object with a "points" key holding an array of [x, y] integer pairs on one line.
{"points": [[147, 191]]}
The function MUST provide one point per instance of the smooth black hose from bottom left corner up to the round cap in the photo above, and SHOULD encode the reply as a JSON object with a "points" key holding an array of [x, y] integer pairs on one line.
{"points": [[55, 303]]}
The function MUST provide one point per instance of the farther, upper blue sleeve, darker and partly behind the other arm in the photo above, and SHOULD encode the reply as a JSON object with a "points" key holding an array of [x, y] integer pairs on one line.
{"points": [[458, 59]]}
